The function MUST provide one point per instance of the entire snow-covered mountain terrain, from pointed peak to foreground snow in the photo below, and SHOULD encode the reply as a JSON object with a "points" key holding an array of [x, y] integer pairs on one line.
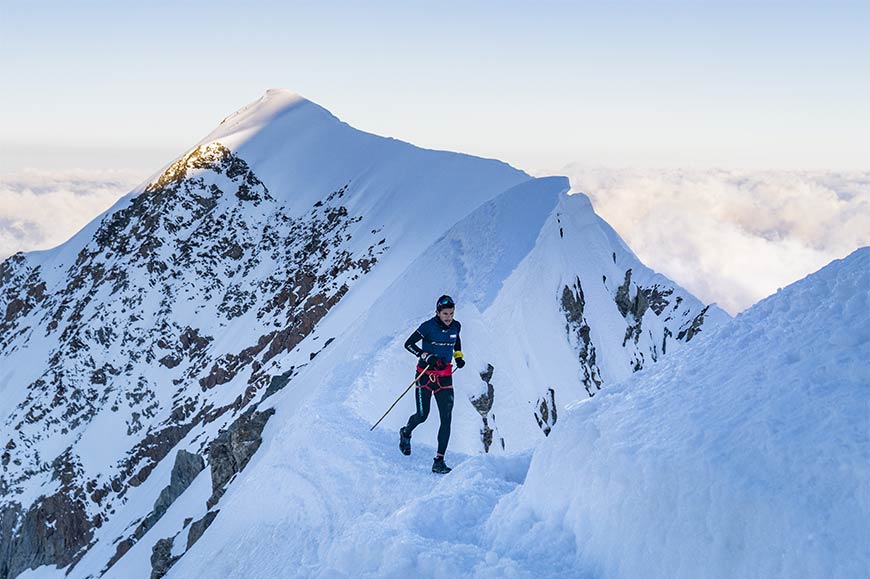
{"points": [[188, 385]]}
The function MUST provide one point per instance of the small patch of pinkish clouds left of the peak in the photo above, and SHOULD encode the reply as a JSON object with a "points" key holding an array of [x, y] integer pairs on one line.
{"points": [[39, 209]]}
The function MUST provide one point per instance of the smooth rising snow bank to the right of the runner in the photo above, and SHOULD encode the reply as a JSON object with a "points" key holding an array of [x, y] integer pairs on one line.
{"points": [[743, 457]]}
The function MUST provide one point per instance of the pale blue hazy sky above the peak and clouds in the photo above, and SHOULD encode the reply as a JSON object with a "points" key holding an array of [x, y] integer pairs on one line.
{"points": [[538, 84]]}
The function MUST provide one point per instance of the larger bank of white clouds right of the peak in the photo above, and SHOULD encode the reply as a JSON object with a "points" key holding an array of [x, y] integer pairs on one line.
{"points": [[731, 237]]}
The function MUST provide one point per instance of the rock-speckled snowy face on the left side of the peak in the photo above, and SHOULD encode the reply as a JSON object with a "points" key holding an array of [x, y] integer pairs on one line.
{"points": [[203, 251]]}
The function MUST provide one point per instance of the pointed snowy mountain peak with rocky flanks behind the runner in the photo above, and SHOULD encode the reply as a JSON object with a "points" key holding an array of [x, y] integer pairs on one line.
{"points": [[154, 364]]}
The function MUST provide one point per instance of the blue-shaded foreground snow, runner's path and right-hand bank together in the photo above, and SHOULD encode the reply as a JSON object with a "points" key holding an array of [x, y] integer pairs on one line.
{"points": [[744, 456]]}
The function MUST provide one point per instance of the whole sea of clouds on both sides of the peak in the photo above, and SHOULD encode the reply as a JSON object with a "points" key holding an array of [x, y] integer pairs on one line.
{"points": [[729, 237]]}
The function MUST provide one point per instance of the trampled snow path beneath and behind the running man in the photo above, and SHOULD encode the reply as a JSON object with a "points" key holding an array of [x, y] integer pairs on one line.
{"points": [[325, 497]]}
